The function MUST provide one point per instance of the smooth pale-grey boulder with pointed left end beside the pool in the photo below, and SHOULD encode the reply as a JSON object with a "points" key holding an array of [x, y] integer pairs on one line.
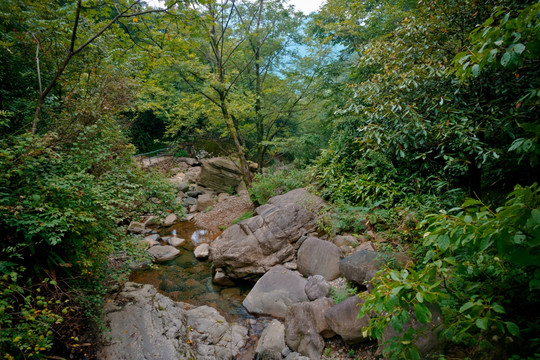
{"points": [[278, 289]]}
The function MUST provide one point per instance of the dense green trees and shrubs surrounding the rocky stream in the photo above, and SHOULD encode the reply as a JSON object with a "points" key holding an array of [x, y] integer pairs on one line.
{"points": [[392, 110]]}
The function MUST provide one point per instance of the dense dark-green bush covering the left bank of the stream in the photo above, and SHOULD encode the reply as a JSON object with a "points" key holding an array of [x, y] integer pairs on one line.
{"points": [[61, 203]]}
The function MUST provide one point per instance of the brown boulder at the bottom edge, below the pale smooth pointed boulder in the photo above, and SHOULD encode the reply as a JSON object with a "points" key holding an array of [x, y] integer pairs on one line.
{"points": [[304, 324]]}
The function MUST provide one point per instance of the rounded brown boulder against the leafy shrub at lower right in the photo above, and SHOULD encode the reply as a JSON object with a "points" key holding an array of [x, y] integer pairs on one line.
{"points": [[343, 320]]}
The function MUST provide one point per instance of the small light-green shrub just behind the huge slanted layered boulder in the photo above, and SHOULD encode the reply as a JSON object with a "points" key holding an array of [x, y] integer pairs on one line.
{"points": [[276, 182]]}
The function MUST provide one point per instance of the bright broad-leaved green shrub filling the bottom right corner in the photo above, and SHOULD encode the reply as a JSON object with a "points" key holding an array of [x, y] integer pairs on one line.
{"points": [[482, 266]]}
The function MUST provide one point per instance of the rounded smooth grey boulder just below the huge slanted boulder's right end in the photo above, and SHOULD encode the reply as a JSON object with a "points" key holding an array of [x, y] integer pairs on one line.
{"points": [[319, 257]]}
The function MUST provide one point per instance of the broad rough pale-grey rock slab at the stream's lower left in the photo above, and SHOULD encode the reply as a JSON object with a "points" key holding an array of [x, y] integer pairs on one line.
{"points": [[152, 326]]}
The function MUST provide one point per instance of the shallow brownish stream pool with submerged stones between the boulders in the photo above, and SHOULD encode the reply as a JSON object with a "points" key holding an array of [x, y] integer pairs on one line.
{"points": [[189, 280]]}
